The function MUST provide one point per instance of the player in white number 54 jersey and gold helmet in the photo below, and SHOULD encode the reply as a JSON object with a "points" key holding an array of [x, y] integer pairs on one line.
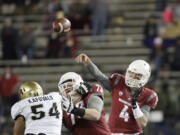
{"points": [[37, 114]]}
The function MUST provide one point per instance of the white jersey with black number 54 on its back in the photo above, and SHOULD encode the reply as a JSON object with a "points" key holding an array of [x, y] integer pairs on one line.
{"points": [[42, 114]]}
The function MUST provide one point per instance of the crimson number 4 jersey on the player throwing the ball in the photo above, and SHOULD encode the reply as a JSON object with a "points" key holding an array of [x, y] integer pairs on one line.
{"points": [[121, 119]]}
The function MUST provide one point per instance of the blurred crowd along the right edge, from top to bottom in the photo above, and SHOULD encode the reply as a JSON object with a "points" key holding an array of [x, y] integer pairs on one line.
{"points": [[161, 35]]}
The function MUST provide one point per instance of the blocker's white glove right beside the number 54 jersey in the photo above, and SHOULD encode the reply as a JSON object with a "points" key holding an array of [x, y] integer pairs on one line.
{"points": [[68, 105]]}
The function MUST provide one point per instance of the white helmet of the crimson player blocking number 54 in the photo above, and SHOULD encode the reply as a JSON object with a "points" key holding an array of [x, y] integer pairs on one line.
{"points": [[69, 81]]}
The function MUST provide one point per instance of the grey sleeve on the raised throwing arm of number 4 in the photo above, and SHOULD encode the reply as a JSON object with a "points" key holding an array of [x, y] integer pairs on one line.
{"points": [[99, 76]]}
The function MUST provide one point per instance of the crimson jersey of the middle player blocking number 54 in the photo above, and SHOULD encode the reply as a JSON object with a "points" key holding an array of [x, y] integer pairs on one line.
{"points": [[79, 126]]}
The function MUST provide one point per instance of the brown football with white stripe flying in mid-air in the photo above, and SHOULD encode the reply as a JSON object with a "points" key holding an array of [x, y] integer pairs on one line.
{"points": [[61, 25]]}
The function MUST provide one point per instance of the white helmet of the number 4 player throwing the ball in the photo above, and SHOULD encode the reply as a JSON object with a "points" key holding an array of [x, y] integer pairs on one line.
{"points": [[139, 67]]}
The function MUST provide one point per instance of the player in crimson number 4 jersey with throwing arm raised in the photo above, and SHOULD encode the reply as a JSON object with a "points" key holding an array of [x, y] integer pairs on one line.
{"points": [[130, 100]]}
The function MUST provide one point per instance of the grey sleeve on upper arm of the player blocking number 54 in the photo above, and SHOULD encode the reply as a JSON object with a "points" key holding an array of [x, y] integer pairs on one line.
{"points": [[96, 102]]}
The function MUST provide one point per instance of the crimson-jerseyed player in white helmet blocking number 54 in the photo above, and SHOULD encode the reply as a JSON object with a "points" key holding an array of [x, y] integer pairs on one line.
{"points": [[82, 105]]}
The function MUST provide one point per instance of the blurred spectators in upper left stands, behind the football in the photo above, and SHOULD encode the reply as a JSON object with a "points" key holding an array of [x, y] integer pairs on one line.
{"points": [[20, 42]]}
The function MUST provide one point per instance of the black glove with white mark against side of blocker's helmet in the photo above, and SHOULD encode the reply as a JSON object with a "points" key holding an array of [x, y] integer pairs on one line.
{"points": [[84, 89]]}
